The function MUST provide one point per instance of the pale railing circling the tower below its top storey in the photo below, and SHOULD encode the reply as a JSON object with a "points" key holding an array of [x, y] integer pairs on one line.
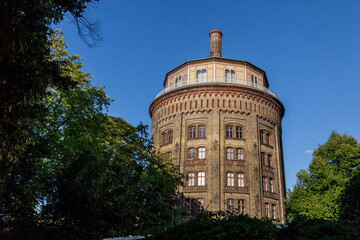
{"points": [[204, 81]]}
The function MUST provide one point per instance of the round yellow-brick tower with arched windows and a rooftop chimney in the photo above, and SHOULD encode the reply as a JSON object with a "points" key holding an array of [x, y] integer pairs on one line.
{"points": [[221, 124]]}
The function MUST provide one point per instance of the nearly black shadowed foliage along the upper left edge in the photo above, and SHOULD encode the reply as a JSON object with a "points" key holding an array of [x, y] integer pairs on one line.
{"points": [[26, 73]]}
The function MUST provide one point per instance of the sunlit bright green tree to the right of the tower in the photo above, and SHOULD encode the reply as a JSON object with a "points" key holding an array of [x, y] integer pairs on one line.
{"points": [[318, 189]]}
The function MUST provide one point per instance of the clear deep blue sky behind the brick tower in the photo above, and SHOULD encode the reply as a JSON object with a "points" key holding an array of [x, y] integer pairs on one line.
{"points": [[310, 51]]}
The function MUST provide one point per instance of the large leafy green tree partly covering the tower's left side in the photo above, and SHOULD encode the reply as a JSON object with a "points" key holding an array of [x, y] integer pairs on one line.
{"points": [[89, 175]]}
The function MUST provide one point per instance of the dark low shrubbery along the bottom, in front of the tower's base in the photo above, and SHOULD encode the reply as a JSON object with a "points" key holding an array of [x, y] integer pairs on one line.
{"points": [[223, 225]]}
